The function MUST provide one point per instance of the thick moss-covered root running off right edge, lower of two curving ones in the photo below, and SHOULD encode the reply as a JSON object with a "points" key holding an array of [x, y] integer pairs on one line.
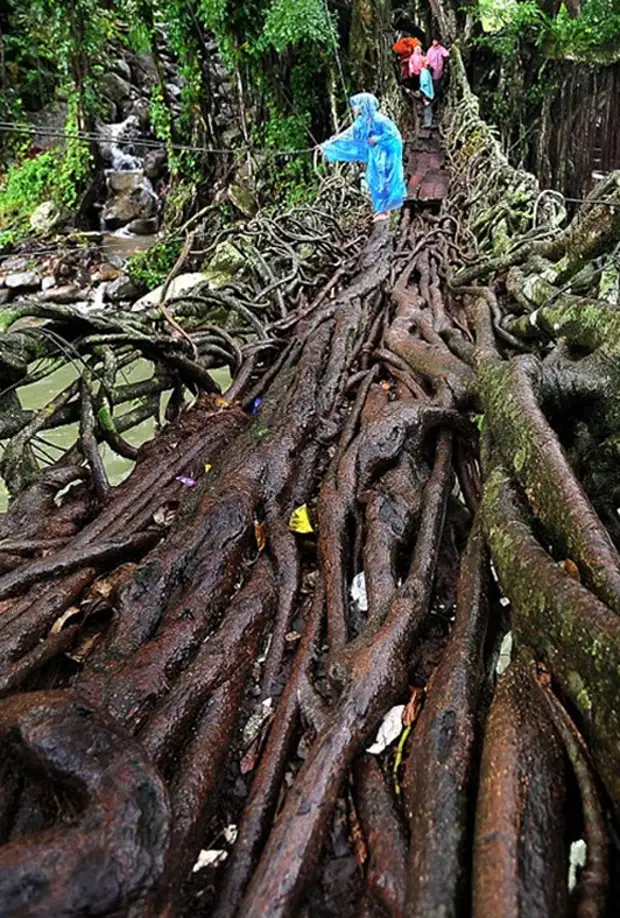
{"points": [[574, 633]]}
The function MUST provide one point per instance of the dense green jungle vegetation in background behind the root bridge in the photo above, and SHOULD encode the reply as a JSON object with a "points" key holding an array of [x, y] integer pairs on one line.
{"points": [[291, 63]]}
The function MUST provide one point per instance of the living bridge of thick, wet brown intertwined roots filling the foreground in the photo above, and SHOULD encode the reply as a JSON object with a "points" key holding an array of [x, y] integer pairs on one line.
{"points": [[201, 711]]}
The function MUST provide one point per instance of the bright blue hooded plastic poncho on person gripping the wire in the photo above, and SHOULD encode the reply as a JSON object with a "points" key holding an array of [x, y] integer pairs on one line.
{"points": [[384, 159]]}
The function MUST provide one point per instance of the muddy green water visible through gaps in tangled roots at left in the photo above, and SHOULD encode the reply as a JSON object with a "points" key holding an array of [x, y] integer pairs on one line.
{"points": [[37, 395]]}
